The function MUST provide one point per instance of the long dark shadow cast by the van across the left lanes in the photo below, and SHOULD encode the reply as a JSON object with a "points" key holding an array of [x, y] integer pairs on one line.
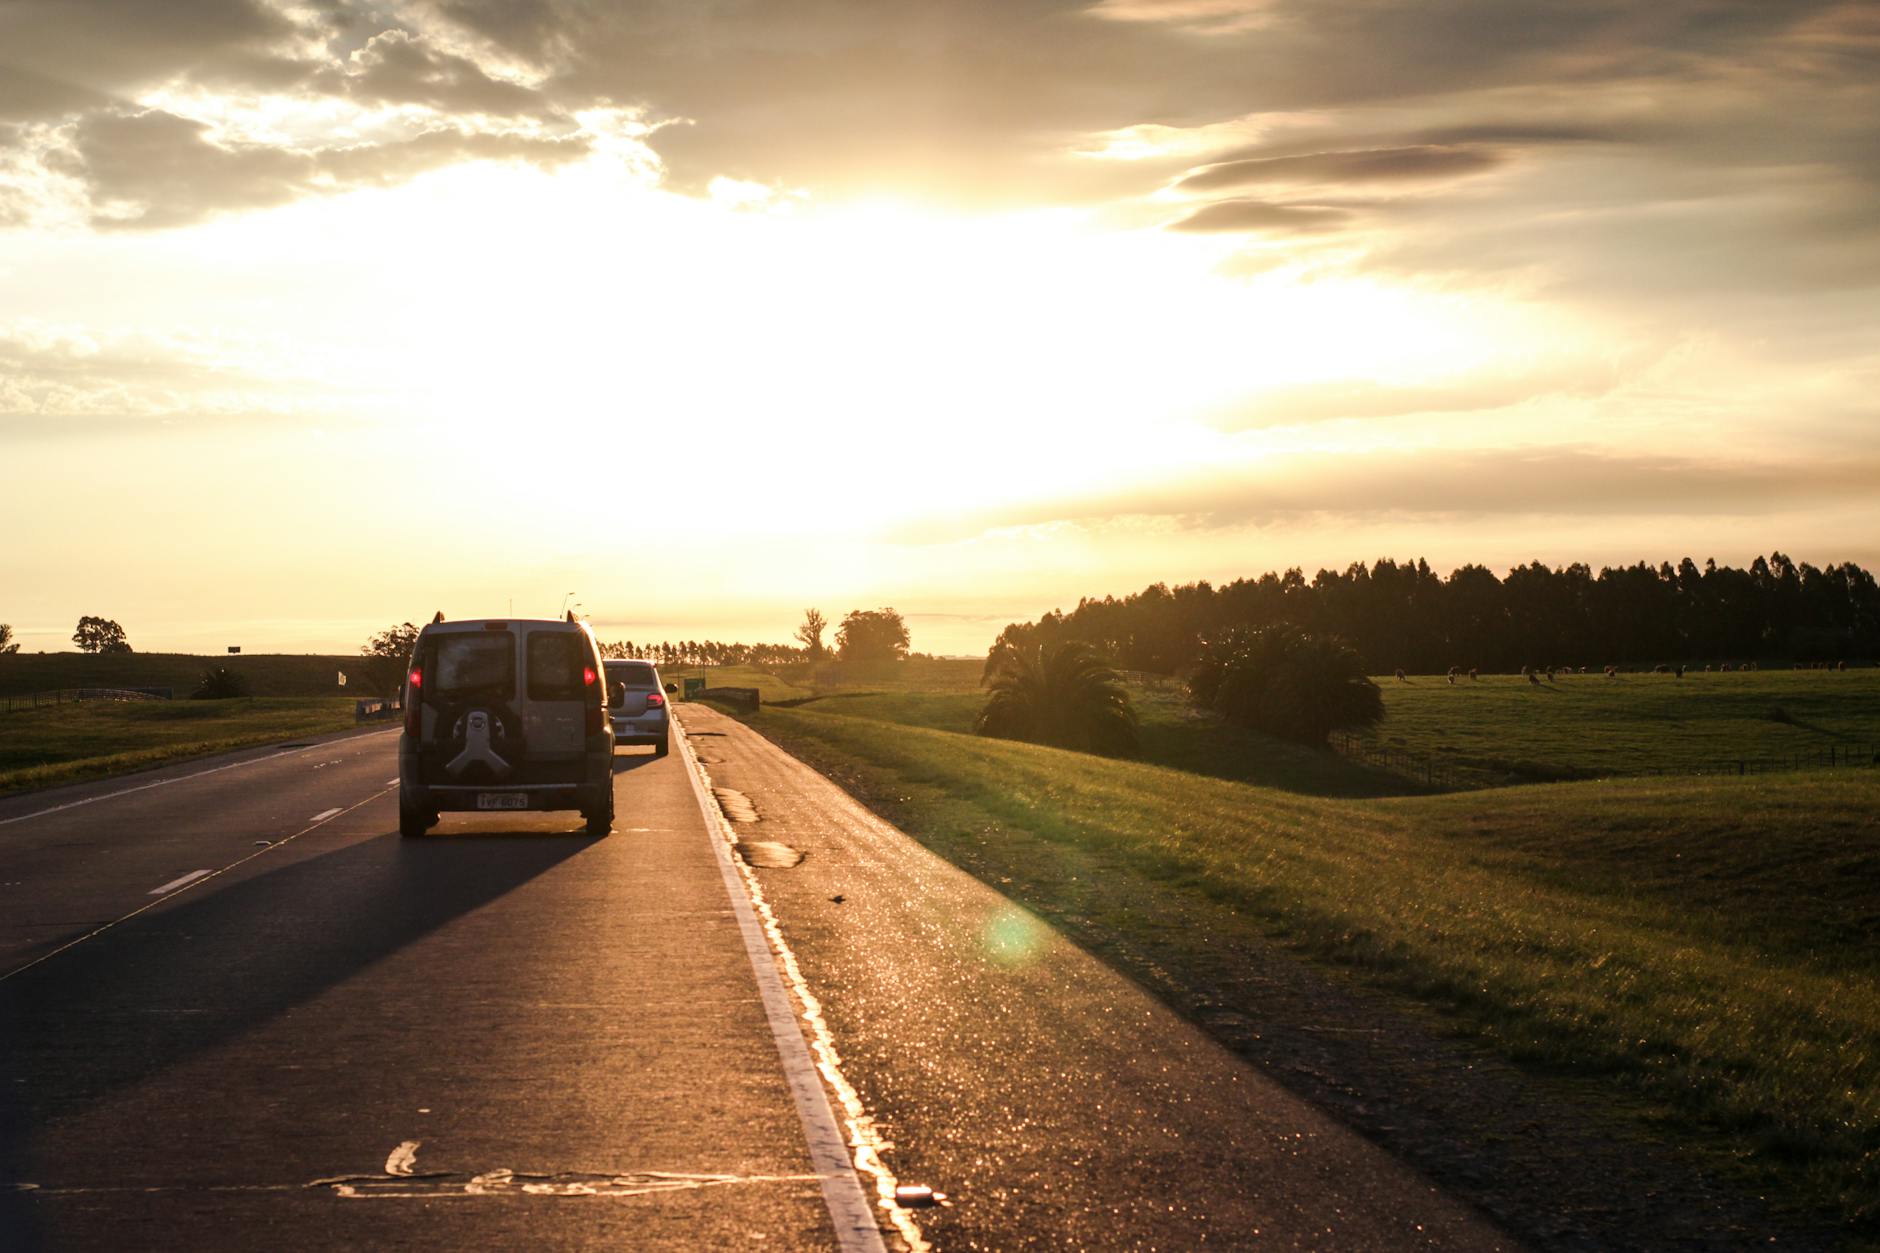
{"points": [[183, 979]]}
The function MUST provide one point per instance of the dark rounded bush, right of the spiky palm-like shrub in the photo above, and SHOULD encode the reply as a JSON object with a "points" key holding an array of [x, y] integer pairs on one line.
{"points": [[1287, 684]]}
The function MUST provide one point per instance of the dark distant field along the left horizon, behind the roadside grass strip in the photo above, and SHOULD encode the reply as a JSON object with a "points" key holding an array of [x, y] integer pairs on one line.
{"points": [[270, 674]]}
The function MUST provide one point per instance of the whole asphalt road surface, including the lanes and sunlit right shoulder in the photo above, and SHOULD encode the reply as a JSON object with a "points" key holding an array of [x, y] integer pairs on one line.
{"points": [[240, 1011]]}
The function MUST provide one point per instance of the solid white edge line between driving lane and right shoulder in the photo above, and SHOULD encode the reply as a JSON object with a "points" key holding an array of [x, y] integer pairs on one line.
{"points": [[843, 1194]]}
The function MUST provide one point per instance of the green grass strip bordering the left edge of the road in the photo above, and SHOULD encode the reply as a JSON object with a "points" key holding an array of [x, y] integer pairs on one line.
{"points": [[70, 744]]}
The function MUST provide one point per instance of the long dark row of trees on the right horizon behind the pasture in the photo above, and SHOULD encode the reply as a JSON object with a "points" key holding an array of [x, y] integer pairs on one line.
{"points": [[1403, 616]]}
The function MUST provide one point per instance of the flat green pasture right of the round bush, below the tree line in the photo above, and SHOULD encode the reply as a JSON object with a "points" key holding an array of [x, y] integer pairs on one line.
{"points": [[1503, 729]]}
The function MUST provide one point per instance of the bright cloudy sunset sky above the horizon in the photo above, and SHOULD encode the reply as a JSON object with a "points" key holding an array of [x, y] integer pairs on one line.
{"points": [[319, 317]]}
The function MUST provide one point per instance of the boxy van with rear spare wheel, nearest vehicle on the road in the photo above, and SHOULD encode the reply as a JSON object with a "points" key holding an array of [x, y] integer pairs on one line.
{"points": [[501, 716]]}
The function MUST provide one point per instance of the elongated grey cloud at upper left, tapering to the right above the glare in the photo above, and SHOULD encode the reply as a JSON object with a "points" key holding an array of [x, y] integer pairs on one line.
{"points": [[157, 170]]}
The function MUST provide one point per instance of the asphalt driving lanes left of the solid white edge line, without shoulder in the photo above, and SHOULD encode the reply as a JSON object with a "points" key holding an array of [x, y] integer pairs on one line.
{"points": [[499, 1036]]}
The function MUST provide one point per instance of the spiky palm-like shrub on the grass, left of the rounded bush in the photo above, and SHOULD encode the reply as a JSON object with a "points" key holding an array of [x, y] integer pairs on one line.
{"points": [[1063, 695]]}
